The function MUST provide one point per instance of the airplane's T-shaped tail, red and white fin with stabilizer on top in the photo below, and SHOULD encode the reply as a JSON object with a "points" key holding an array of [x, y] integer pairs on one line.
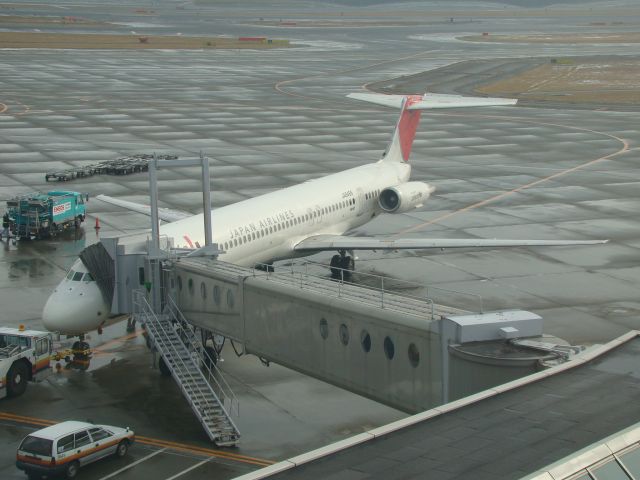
{"points": [[399, 148]]}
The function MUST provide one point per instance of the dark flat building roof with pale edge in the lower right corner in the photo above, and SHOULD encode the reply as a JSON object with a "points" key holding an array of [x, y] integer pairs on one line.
{"points": [[507, 432]]}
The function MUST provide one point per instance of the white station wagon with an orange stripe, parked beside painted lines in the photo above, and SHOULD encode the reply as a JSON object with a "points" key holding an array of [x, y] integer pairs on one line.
{"points": [[63, 448]]}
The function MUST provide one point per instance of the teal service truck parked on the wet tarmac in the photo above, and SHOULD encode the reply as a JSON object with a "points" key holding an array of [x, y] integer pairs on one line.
{"points": [[42, 215]]}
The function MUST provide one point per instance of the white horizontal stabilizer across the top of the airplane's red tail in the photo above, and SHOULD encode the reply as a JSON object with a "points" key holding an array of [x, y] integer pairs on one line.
{"points": [[432, 100]]}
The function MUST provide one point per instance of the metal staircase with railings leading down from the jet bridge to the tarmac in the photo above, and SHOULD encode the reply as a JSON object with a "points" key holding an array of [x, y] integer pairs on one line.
{"points": [[200, 381]]}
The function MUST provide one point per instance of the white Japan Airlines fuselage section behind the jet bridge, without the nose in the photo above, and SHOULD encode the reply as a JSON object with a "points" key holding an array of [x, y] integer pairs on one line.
{"points": [[266, 228]]}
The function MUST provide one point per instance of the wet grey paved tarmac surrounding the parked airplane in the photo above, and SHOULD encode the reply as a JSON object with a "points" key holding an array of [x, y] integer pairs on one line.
{"points": [[270, 119]]}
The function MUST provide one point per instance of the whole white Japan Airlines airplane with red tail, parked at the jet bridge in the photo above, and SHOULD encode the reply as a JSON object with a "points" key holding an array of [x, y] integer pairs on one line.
{"points": [[296, 221]]}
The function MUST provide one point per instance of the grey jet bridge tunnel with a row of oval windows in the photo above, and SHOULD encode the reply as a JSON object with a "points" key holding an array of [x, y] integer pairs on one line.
{"points": [[404, 350]]}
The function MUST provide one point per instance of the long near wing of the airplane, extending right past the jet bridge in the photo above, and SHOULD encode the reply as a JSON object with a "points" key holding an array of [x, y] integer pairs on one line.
{"points": [[338, 242]]}
